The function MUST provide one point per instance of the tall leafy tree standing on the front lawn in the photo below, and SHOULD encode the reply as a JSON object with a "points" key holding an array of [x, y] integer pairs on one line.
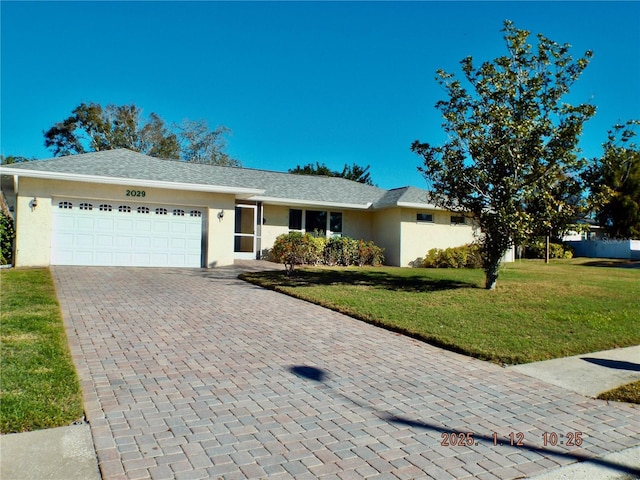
{"points": [[512, 143]]}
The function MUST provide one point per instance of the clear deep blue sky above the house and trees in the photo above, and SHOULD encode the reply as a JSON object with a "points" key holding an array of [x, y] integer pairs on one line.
{"points": [[296, 82]]}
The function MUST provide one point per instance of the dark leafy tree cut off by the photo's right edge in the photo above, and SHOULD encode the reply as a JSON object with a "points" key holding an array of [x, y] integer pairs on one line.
{"points": [[614, 183]]}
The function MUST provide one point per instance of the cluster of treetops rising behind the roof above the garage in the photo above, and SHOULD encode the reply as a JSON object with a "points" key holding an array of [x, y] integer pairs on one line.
{"points": [[92, 128]]}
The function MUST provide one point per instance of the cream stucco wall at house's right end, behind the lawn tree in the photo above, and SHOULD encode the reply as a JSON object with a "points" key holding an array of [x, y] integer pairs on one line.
{"points": [[417, 238]]}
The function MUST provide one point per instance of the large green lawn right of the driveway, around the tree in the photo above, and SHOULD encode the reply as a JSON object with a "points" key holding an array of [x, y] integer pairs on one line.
{"points": [[537, 312]]}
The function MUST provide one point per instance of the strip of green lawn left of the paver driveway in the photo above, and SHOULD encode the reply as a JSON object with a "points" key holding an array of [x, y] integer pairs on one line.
{"points": [[39, 387]]}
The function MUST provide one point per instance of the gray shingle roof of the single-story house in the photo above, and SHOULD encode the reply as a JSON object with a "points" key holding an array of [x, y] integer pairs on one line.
{"points": [[125, 164]]}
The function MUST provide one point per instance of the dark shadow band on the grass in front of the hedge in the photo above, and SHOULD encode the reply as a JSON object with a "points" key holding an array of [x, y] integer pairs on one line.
{"points": [[370, 278]]}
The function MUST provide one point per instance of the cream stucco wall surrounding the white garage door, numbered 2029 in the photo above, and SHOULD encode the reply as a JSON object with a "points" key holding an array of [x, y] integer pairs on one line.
{"points": [[33, 225]]}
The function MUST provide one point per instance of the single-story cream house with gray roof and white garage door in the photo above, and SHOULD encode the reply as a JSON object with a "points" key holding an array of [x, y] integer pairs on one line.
{"points": [[122, 208]]}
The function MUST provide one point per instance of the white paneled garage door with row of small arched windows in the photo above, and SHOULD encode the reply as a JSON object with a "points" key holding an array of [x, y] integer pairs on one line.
{"points": [[96, 232]]}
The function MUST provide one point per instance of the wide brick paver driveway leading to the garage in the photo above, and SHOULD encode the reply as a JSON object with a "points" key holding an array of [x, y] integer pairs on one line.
{"points": [[194, 374]]}
